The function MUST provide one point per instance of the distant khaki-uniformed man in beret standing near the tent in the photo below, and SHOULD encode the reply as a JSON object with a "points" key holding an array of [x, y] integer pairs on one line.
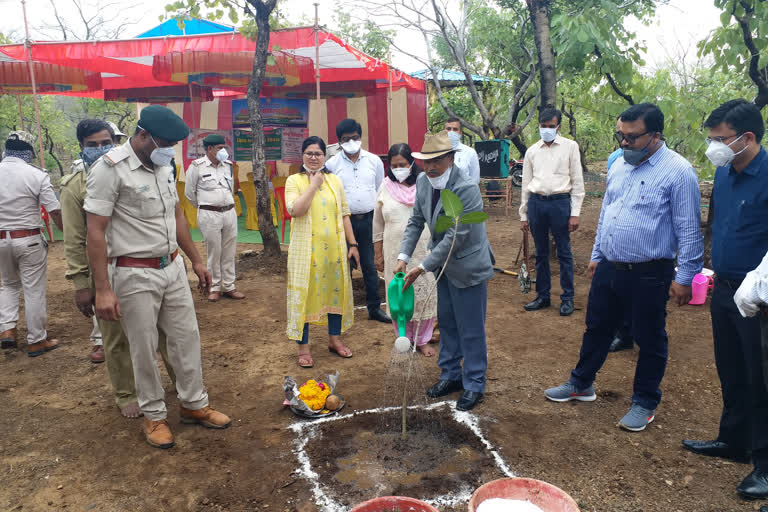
{"points": [[209, 187]]}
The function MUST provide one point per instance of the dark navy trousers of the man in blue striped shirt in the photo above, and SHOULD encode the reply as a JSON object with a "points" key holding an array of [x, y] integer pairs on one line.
{"points": [[647, 292]]}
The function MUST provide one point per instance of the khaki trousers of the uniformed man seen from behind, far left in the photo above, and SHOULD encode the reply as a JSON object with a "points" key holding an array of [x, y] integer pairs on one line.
{"points": [[23, 266]]}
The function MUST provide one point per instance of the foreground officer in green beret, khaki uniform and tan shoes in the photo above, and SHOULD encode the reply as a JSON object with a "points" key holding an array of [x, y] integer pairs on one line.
{"points": [[135, 229]]}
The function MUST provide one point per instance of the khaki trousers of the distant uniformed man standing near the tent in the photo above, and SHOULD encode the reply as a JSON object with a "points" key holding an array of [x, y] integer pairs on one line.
{"points": [[219, 230]]}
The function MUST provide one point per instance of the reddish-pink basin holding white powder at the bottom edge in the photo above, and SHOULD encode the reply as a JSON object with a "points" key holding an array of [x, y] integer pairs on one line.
{"points": [[545, 496]]}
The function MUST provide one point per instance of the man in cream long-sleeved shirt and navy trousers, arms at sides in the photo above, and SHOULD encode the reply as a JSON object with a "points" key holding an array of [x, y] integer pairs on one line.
{"points": [[551, 197]]}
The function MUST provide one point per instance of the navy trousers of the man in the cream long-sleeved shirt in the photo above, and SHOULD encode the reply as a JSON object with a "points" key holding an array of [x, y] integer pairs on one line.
{"points": [[544, 216]]}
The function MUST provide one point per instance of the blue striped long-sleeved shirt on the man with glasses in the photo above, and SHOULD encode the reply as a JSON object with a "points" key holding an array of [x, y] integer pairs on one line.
{"points": [[652, 211]]}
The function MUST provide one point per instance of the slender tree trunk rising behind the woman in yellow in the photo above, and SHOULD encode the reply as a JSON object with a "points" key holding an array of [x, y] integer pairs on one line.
{"points": [[261, 181]]}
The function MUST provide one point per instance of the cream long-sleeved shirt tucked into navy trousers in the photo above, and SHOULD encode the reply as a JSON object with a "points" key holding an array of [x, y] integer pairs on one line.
{"points": [[553, 169]]}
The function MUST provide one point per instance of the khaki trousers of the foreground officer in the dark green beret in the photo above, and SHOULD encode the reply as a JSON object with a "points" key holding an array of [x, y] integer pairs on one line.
{"points": [[152, 299]]}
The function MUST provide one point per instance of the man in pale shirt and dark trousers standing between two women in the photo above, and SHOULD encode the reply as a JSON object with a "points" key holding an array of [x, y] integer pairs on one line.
{"points": [[361, 173]]}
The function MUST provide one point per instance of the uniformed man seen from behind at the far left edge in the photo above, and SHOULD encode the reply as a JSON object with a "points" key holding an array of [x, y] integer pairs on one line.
{"points": [[23, 250]]}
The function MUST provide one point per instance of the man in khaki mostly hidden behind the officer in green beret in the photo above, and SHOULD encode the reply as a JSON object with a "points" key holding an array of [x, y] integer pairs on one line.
{"points": [[96, 139]]}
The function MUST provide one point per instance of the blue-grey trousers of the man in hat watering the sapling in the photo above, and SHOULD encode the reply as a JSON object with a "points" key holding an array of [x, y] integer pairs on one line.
{"points": [[461, 315]]}
